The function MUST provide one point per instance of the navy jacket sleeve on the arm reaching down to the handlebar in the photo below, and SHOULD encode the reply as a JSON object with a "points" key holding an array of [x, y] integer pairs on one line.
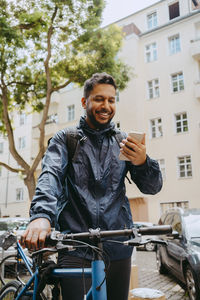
{"points": [[50, 182]]}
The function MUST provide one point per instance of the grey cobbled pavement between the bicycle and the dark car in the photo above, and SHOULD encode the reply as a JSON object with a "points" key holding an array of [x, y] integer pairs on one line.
{"points": [[149, 277]]}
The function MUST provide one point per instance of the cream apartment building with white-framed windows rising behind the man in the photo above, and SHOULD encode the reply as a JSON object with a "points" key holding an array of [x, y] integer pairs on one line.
{"points": [[162, 45]]}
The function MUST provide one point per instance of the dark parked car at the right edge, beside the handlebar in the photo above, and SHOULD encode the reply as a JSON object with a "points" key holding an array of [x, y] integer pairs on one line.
{"points": [[181, 254]]}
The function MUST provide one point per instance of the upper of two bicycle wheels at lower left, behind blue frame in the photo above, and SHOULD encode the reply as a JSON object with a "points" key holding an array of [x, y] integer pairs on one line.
{"points": [[12, 268]]}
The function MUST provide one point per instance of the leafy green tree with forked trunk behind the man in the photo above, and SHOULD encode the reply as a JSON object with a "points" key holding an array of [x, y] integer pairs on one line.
{"points": [[44, 46]]}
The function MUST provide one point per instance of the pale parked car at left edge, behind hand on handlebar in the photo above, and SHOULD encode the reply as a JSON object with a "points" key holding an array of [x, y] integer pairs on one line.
{"points": [[9, 224]]}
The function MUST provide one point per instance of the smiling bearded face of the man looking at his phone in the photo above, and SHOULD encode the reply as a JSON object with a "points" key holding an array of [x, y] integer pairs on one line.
{"points": [[100, 106]]}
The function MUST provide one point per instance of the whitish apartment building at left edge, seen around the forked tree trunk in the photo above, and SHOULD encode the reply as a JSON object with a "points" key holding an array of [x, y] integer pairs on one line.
{"points": [[14, 200]]}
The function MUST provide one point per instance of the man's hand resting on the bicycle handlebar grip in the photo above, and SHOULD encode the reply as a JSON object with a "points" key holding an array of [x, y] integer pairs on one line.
{"points": [[35, 234]]}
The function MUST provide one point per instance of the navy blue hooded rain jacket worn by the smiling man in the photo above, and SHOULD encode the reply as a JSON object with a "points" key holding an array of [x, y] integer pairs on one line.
{"points": [[89, 192]]}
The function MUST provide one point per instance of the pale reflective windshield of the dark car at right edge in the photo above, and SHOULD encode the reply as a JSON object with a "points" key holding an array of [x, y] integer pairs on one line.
{"points": [[192, 226]]}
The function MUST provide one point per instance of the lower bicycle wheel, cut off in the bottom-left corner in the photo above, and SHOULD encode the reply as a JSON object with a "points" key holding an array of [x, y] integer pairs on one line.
{"points": [[10, 290]]}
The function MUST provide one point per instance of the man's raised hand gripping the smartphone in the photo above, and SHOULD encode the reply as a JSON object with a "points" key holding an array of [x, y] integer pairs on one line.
{"points": [[134, 150]]}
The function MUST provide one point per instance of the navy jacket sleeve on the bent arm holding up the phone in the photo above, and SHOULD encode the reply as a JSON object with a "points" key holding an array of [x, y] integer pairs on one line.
{"points": [[147, 177]]}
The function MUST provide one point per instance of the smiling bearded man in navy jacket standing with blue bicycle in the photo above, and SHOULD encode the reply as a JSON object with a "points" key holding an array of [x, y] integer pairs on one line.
{"points": [[89, 192]]}
